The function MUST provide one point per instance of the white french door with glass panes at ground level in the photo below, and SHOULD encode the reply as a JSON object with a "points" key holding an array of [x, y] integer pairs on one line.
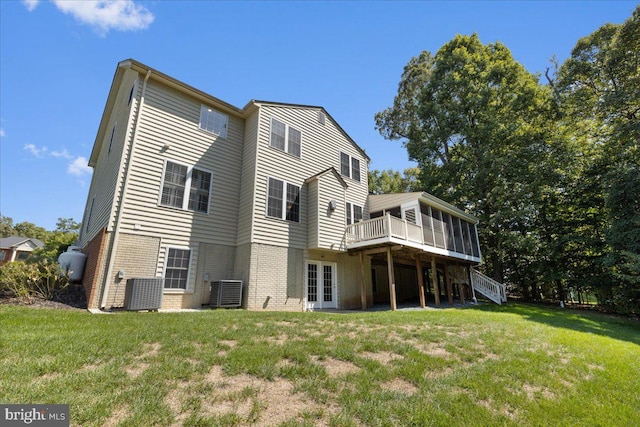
{"points": [[321, 287]]}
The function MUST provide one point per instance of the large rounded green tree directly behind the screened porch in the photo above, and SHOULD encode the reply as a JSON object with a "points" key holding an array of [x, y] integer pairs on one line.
{"points": [[480, 126]]}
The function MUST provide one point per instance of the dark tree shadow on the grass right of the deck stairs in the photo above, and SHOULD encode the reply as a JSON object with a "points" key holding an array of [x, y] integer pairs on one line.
{"points": [[610, 326]]}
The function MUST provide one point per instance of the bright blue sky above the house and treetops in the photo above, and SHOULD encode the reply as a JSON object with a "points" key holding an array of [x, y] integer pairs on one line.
{"points": [[57, 60]]}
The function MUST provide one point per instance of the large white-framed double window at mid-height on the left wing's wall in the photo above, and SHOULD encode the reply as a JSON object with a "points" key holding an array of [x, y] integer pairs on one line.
{"points": [[177, 179]]}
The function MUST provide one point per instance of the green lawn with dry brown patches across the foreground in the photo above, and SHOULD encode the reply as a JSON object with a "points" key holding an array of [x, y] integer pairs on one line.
{"points": [[488, 365]]}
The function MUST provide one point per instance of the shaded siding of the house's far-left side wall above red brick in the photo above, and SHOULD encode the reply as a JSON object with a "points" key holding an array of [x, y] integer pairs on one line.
{"points": [[109, 170]]}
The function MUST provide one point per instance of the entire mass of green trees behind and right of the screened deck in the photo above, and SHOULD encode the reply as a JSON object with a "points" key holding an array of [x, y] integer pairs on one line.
{"points": [[551, 168]]}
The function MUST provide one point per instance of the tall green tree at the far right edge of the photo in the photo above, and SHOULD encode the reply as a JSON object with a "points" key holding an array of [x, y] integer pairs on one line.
{"points": [[598, 88]]}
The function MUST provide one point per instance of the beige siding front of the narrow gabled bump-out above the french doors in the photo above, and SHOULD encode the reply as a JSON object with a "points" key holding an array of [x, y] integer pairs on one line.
{"points": [[331, 224]]}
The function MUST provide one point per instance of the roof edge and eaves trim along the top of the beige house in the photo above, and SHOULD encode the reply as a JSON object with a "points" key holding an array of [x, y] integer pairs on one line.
{"points": [[185, 88]]}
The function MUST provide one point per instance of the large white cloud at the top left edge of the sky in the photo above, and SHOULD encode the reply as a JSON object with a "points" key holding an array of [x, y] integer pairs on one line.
{"points": [[104, 15]]}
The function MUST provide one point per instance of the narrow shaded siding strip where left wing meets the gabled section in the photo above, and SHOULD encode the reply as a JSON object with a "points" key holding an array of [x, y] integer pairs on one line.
{"points": [[245, 214]]}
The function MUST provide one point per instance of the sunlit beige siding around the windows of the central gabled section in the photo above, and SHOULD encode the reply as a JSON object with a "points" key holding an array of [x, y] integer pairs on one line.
{"points": [[321, 146]]}
